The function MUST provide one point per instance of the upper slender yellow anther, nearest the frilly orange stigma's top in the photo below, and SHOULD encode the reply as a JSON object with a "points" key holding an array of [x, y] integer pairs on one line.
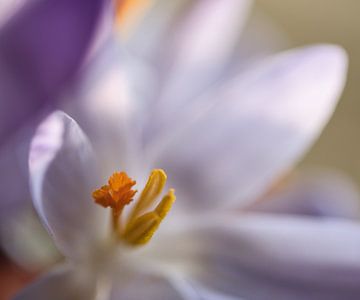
{"points": [[152, 190]]}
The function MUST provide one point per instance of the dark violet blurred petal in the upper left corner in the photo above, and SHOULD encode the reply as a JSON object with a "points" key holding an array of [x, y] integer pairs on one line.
{"points": [[41, 49]]}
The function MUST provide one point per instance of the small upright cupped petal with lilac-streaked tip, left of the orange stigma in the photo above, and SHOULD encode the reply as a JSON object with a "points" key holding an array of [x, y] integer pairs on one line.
{"points": [[63, 175]]}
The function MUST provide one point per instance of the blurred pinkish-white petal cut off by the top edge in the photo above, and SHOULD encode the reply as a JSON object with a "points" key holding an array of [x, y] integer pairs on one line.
{"points": [[205, 37]]}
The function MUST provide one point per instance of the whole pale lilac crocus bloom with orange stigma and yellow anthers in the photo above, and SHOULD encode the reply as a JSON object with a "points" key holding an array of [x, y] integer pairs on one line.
{"points": [[221, 152]]}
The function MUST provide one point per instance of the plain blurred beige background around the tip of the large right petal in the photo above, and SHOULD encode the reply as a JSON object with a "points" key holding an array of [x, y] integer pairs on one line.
{"points": [[335, 21]]}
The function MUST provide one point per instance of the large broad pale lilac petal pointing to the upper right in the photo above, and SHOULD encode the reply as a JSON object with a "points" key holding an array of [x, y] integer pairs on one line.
{"points": [[240, 139]]}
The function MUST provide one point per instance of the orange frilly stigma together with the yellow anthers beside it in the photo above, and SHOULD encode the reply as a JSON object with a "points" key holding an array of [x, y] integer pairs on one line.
{"points": [[140, 225]]}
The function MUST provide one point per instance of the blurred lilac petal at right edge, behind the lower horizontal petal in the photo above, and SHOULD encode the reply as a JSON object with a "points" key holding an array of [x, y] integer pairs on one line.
{"points": [[315, 193]]}
